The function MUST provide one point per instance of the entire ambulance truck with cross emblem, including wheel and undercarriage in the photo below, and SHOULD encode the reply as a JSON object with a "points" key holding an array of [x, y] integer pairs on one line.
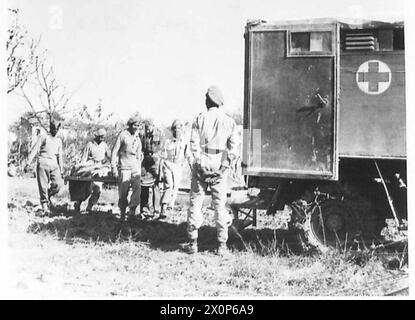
{"points": [[325, 125]]}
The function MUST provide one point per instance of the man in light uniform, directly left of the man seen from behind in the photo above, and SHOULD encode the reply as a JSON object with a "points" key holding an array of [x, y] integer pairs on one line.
{"points": [[174, 152]]}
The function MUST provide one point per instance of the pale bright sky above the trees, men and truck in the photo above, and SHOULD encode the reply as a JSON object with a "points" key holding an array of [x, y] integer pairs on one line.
{"points": [[159, 57]]}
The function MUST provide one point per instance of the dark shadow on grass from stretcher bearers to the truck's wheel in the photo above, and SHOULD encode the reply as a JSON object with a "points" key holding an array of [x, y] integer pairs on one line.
{"points": [[106, 227]]}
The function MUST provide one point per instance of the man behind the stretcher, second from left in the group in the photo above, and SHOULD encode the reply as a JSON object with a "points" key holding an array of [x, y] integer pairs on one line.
{"points": [[96, 152]]}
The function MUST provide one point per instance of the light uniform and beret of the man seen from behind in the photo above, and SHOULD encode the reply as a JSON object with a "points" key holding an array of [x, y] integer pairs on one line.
{"points": [[212, 143]]}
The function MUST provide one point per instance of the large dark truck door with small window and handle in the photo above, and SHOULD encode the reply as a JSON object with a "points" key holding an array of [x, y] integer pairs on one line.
{"points": [[290, 112]]}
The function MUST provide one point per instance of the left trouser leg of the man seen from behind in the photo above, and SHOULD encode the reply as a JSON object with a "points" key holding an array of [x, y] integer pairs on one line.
{"points": [[194, 214]]}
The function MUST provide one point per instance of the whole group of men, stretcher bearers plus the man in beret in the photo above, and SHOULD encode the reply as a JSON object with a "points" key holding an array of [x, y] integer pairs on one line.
{"points": [[138, 153]]}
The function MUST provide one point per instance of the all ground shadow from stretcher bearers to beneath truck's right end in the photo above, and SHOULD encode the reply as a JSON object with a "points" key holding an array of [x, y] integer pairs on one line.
{"points": [[166, 236]]}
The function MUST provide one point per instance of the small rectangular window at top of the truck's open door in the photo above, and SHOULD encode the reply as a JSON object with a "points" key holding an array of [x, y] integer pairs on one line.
{"points": [[310, 43]]}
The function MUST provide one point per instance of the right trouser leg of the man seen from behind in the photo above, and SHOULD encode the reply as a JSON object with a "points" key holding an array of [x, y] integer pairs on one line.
{"points": [[222, 217]]}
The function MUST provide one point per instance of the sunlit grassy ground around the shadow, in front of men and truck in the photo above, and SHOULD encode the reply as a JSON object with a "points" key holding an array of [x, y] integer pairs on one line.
{"points": [[96, 256]]}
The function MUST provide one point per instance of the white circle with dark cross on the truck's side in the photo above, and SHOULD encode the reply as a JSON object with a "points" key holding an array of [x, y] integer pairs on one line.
{"points": [[373, 77]]}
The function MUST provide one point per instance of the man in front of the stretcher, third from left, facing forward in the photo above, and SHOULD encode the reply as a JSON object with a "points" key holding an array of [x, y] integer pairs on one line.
{"points": [[126, 166]]}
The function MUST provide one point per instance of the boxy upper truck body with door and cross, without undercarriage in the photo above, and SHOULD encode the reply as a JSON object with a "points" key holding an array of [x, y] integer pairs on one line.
{"points": [[317, 91]]}
